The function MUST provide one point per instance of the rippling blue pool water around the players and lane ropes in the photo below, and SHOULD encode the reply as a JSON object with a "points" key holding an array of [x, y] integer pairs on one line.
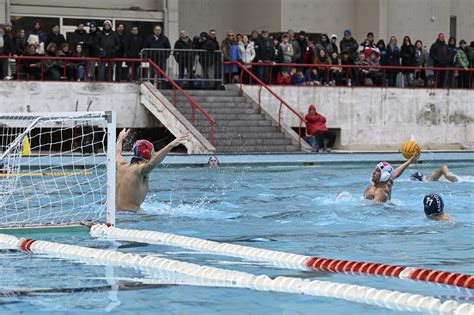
{"points": [[309, 210]]}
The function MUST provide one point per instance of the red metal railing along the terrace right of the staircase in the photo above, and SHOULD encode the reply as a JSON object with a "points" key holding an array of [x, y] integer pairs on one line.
{"points": [[418, 73]]}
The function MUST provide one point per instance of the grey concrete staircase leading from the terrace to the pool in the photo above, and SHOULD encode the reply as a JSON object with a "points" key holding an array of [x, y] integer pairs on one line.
{"points": [[240, 128]]}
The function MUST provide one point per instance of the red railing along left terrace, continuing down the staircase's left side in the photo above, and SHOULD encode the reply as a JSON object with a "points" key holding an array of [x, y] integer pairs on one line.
{"points": [[110, 61]]}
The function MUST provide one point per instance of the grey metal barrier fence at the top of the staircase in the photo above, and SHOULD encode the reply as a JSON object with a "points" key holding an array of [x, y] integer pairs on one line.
{"points": [[190, 68]]}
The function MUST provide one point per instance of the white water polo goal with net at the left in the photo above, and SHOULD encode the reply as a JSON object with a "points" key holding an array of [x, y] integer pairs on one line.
{"points": [[57, 169]]}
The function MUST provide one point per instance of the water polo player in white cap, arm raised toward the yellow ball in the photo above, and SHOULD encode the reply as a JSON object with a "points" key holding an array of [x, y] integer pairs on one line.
{"points": [[382, 180]]}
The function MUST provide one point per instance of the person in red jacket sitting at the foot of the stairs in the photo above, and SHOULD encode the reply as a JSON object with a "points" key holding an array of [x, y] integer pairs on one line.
{"points": [[316, 131]]}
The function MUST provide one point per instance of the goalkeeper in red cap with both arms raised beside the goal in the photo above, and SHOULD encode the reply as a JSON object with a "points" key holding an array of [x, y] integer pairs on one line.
{"points": [[133, 178]]}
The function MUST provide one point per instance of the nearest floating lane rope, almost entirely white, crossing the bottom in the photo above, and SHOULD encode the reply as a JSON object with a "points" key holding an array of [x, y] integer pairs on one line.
{"points": [[361, 294]]}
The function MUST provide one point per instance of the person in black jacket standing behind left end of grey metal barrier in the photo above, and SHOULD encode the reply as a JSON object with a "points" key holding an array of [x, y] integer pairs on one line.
{"points": [[162, 49]]}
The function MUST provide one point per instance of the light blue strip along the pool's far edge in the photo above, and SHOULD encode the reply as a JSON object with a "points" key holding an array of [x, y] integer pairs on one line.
{"points": [[183, 160]]}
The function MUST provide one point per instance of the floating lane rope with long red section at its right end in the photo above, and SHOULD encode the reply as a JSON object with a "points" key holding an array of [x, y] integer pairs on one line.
{"points": [[283, 259]]}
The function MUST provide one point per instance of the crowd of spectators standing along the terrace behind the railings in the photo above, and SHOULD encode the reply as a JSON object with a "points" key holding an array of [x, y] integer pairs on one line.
{"points": [[311, 60]]}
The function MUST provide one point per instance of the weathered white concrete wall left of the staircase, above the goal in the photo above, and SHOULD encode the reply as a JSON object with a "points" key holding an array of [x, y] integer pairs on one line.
{"points": [[124, 98]]}
